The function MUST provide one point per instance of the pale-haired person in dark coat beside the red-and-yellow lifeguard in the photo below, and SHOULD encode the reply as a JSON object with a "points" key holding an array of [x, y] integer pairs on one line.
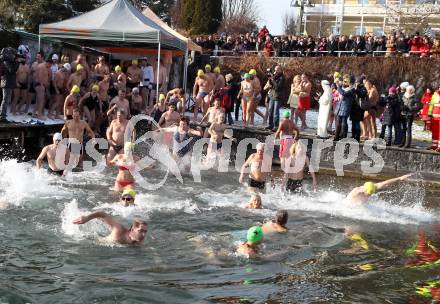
{"points": [[411, 106]]}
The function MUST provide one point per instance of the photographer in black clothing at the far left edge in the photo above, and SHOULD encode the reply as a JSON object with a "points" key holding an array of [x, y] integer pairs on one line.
{"points": [[8, 70]]}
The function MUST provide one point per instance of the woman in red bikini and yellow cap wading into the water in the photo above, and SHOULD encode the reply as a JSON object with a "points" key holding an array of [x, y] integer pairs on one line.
{"points": [[125, 164]]}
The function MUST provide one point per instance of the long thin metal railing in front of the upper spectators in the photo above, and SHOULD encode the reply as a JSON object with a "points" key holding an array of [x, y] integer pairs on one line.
{"points": [[314, 53]]}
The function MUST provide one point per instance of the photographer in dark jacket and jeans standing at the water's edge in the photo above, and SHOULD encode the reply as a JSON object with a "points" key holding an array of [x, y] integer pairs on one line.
{"points": [[275, 85]]}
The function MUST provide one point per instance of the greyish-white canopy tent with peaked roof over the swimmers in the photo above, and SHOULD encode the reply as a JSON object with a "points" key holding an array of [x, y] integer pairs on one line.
{"points": [[116, 23]]}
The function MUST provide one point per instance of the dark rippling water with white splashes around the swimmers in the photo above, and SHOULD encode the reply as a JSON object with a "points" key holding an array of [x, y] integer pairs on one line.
{"points": [[332, 252]]}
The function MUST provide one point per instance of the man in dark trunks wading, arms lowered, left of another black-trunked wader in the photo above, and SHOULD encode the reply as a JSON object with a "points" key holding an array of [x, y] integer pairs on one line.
{"points": [[257, 178]]}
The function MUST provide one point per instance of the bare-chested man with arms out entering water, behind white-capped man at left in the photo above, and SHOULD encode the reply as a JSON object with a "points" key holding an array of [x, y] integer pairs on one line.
{"points": [[76, 128]]}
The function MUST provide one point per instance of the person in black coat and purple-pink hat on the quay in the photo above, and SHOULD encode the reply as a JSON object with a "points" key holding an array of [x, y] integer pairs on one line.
{"points": [[391, 115]]}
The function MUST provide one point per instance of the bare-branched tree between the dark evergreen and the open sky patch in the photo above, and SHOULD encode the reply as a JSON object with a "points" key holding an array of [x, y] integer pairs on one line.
{"points": [[239, 16]]}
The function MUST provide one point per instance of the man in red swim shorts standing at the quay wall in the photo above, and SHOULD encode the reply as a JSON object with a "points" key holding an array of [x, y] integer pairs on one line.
{"points": [[285, 132]]}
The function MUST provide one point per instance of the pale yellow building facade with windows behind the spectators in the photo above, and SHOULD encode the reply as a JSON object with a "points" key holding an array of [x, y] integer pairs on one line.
{"points": [[324, 17]]}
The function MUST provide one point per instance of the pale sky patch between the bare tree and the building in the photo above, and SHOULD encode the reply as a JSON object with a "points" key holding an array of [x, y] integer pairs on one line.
{"points": [[271, 14]]}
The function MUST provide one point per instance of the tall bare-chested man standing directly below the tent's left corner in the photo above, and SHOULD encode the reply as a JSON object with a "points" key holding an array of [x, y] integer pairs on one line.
{"points": [[42, 80]]}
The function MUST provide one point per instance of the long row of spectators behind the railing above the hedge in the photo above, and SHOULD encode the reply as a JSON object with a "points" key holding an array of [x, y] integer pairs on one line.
{"points": [[263, 43]]}
